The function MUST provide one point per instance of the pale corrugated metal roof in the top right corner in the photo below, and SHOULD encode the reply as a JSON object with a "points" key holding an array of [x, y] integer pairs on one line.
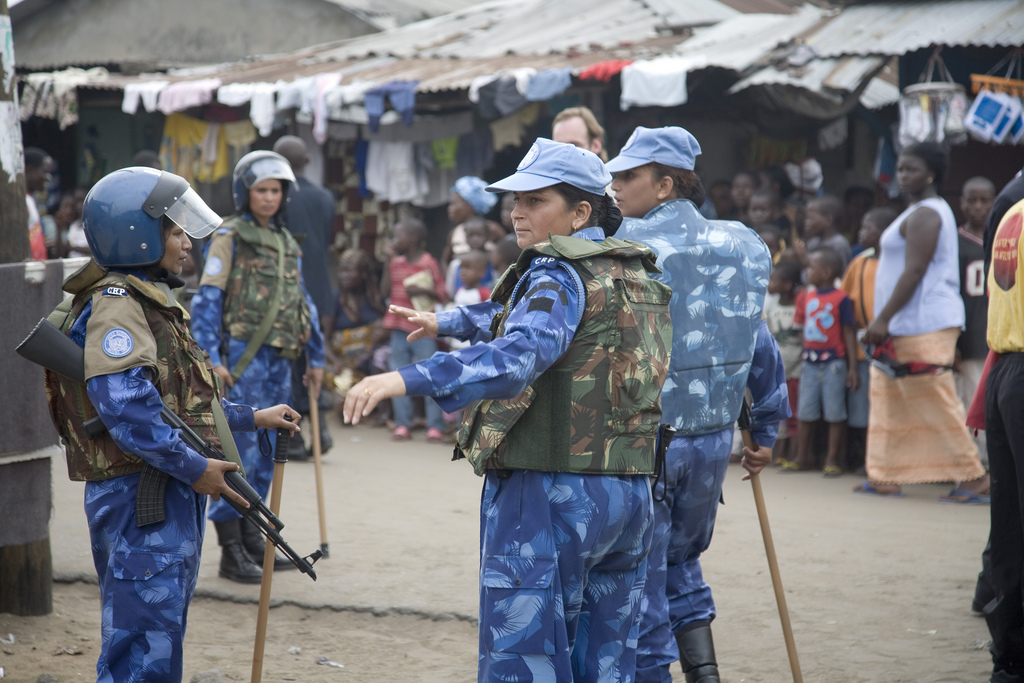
{"points": [[899, 28]]}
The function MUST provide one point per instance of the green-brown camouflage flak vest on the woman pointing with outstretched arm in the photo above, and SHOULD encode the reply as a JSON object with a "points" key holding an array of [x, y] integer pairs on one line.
{"points": [[598, 410]]}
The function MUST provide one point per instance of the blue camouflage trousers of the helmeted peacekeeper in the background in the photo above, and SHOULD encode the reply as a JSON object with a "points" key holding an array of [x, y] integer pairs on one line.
{"points": [[267, 382]]}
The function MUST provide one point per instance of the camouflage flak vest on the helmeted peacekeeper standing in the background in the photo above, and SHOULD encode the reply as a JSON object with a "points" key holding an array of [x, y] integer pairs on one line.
{"points": [[251, 285]]}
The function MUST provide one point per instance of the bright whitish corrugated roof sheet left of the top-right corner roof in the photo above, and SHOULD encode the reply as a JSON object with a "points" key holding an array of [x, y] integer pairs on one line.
{"points": [[746, 39]]}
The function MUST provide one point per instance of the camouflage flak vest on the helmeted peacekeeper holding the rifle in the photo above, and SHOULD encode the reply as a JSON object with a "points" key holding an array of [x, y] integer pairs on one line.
{"points": [[185, 380]]}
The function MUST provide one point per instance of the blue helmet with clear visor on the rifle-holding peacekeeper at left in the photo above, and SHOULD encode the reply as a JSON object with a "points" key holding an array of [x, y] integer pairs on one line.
{"points": [[123, 216]]}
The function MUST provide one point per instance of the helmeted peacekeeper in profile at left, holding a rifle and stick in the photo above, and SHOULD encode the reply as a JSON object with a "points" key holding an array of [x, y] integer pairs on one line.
{"points": [[140, 357]]}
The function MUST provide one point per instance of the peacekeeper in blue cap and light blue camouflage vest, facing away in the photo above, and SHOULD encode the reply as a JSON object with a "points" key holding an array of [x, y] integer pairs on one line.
{"points": [[718, 272]]}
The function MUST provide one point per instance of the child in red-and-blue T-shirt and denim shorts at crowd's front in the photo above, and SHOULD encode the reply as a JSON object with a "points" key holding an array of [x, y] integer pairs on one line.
{"points": [[827, 317]]}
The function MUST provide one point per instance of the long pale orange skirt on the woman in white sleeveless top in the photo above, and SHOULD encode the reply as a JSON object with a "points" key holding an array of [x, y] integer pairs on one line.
{"points": [[917, 431]]}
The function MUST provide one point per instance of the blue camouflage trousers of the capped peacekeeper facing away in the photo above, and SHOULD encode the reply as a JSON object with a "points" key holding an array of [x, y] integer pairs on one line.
{"points": [[676, 593]]}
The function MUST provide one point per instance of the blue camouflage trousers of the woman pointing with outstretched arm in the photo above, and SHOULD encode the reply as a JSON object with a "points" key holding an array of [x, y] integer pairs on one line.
{"points": [[563, 570]]}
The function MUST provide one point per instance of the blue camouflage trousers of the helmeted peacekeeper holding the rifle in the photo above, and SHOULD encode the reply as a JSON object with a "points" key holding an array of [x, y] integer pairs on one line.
{"points": [[147, 578]]}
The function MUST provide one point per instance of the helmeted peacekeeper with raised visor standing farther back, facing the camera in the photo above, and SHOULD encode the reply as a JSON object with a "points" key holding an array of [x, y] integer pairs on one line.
{"points": [[254, 317]]}
